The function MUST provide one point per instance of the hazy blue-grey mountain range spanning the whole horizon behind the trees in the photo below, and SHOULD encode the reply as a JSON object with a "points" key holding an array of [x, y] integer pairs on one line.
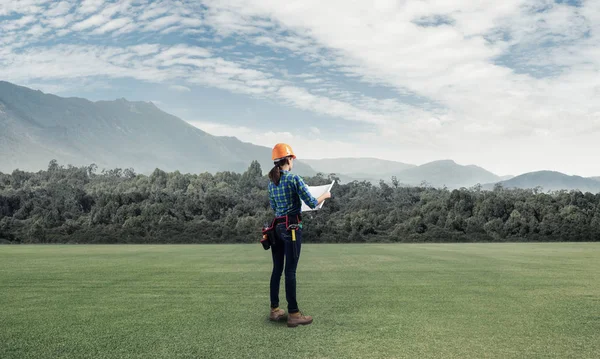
{"points": [[36, 127]]}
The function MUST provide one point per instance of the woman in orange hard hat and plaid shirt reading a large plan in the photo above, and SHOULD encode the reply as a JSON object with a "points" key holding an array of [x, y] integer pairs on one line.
{"points": [[286, 190]]}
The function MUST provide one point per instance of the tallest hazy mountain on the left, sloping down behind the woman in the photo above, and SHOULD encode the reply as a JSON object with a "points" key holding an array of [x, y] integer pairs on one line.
{"points": [[36, 128]]}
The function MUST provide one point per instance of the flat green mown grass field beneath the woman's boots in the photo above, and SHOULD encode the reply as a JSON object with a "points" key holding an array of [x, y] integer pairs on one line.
{"points": [[368, 301]]}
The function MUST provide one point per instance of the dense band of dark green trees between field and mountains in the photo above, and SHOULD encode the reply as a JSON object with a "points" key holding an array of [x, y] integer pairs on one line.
{"points": [[68, 204]]}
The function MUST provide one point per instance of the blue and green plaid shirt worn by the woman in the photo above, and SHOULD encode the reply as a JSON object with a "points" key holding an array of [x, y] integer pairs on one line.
{"points": [[285, 198]]}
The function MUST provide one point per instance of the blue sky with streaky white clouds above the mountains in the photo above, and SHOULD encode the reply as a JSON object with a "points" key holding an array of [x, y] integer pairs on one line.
{"points": [[512, 85]]}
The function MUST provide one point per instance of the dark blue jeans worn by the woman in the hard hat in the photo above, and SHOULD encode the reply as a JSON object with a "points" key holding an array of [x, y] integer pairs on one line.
{"points": [[283, 251]]}
